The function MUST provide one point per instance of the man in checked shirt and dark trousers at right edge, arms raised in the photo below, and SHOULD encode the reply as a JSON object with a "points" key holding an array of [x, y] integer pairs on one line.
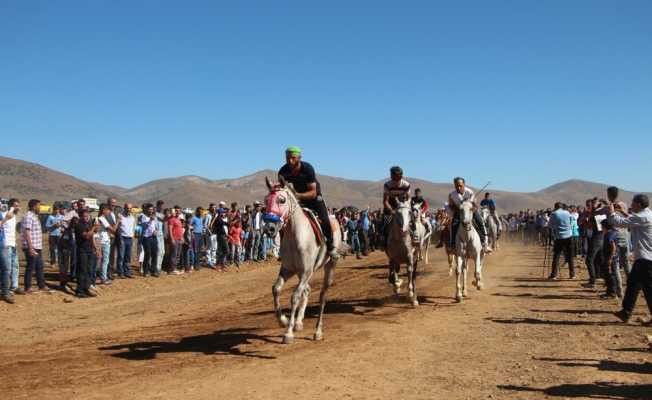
{"points": [[639, 223]]}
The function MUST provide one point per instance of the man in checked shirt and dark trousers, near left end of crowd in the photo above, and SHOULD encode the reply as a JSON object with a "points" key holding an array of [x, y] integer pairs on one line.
{"points": [[32, 236]]}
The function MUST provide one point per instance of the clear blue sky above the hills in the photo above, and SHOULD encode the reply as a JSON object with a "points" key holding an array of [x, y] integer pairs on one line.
{"points": [[522, 93]]}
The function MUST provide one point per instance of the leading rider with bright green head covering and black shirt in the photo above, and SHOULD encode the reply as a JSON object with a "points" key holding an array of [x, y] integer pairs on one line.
{"points": [[308, 191]]}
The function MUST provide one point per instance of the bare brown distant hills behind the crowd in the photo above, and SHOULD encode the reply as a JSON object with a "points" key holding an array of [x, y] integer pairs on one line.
{"points": [[29, 180]]}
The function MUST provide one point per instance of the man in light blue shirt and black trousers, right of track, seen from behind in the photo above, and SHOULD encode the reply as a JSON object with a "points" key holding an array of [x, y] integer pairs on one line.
{"points": [[560, 225]]}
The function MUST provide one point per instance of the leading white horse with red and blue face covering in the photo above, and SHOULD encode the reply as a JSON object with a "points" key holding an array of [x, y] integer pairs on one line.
{"points": [[301, 255]]}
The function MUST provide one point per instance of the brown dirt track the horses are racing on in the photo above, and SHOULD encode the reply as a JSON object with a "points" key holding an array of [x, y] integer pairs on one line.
{"points": [[212, 336]]}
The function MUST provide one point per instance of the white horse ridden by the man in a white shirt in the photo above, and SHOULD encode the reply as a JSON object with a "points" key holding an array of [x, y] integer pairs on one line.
{"points": [[467, 245]]}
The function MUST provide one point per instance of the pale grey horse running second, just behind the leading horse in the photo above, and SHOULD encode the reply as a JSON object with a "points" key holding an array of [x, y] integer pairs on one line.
{"points": [[400, 251]]}
